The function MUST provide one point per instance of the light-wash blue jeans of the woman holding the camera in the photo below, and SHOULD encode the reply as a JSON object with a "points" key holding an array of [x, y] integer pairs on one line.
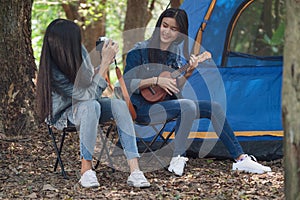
{"points": [[88, 114]]}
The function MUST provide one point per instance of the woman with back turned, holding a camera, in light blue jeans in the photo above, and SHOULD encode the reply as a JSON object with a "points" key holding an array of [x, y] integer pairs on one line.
{"points": [[69, 89]]}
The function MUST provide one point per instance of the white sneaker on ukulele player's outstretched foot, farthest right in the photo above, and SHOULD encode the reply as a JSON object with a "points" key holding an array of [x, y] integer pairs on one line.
{"points": [[250, 164]]}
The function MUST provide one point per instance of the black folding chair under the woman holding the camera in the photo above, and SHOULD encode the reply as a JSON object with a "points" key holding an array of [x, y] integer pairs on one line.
{"points": [[72, 129]]}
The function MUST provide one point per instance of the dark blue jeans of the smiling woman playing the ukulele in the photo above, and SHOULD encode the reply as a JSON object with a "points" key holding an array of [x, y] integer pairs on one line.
{"points": [[186, 111]]}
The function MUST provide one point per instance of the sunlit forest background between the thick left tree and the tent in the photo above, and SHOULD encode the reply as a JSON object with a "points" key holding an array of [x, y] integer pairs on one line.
{"points": [[98, 18]]}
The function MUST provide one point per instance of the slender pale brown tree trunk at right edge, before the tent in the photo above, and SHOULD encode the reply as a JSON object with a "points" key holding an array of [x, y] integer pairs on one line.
{"points": [[291, 101]]}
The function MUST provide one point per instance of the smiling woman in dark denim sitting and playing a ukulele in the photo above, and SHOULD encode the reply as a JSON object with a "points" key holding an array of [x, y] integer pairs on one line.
{"points": [[149, 71]]}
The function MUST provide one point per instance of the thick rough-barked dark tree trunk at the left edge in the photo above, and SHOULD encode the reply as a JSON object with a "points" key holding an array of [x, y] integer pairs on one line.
{"points": [[17, 68]]}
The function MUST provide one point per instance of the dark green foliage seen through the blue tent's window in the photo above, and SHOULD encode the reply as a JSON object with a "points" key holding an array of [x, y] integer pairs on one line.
{"points": [[252, 35]]}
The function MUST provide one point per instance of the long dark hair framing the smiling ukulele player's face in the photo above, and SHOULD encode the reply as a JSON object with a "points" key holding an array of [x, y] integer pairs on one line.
{"points": [[181, 18]]}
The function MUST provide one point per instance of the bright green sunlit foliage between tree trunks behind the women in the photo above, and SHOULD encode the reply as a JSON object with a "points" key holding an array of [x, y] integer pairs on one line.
{"points": [[43, 12]]}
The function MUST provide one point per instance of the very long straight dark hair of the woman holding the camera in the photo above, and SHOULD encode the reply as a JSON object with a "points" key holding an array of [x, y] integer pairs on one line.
{"points": [[61, 49]]}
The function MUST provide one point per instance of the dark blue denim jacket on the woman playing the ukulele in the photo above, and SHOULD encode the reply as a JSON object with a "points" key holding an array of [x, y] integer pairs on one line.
{"points": [[138, 68]]}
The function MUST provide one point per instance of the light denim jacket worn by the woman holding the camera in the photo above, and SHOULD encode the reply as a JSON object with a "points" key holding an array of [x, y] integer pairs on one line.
{"points": [[88, 86]]}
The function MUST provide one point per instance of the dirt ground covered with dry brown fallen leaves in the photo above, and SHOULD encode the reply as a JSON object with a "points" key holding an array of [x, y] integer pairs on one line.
{"points": [[27, 173]]}
